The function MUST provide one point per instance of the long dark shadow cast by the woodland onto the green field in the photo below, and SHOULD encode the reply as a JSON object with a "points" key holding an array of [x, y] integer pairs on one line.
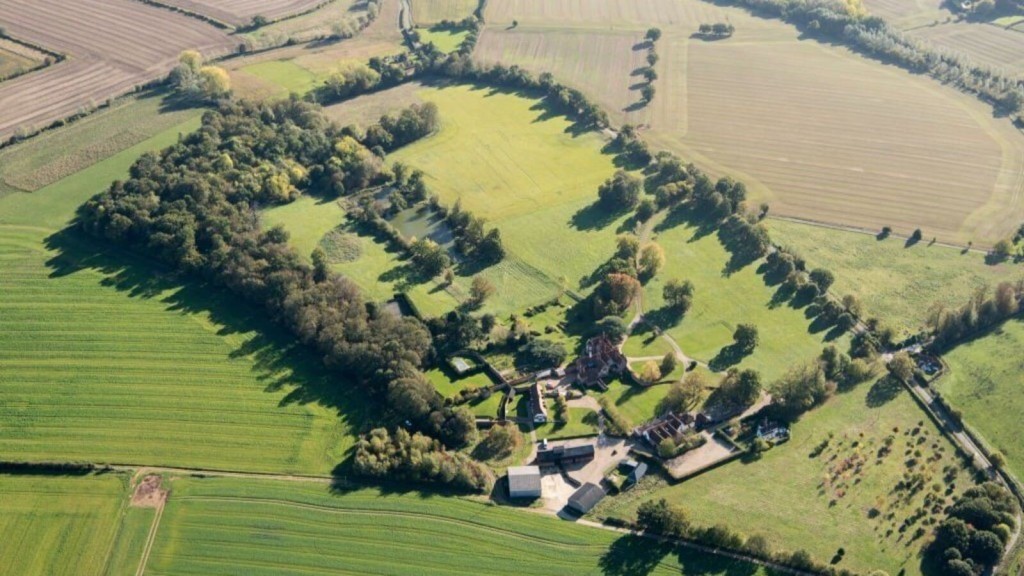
{"points": [[279, 361]]}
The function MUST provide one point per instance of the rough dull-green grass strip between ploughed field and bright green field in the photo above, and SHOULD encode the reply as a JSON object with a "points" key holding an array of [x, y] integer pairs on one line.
{"points": [[51, 157]]}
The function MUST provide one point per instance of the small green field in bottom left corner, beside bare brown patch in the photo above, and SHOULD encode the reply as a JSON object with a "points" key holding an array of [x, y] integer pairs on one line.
{"points": [[61, 525]]}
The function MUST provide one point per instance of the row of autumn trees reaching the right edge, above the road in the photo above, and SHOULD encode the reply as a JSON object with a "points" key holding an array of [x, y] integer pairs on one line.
{"points": [[984, 311]]}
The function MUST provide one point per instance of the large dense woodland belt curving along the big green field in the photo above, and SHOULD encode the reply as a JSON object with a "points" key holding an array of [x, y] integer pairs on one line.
{"points": [[193, 207]]}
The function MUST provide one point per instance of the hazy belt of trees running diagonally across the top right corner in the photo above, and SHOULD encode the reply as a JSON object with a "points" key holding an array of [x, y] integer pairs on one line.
{"points": [[848, 24]]}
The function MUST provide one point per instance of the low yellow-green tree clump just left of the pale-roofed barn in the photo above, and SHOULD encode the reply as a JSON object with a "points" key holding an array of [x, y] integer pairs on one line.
{"points": [[403, 457]]}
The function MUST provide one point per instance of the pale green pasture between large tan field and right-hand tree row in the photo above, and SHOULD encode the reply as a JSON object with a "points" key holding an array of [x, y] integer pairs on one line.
{"points": [[897, 284]]}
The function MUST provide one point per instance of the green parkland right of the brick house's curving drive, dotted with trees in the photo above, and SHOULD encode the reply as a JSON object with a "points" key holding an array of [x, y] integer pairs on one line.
{"points": [[722, 301]]}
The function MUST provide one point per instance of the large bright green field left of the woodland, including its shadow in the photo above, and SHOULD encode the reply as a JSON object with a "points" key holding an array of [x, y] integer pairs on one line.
{"points": [[108, 360]]}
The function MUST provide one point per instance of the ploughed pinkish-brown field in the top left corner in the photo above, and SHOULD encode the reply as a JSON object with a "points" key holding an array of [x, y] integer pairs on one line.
{"points": [[113, 47]]}
